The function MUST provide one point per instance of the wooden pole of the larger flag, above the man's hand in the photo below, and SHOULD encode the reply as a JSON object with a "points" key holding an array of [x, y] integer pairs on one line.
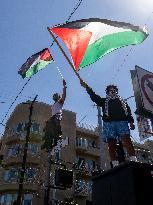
{"points": [[72, 66]]}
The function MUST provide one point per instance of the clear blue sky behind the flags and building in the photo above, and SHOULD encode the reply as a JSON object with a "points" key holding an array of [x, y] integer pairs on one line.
{"points": [[23, 32]]}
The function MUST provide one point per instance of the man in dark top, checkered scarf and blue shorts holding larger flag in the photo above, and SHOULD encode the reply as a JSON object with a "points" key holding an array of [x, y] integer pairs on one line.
{"points": [[116, 116]]}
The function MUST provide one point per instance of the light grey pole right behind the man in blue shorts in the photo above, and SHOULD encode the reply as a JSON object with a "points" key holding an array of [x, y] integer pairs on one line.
{"points": [[103, 147]]}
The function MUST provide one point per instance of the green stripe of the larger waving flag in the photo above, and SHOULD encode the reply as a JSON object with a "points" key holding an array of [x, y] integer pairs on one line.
{"points": [[108, 43]]}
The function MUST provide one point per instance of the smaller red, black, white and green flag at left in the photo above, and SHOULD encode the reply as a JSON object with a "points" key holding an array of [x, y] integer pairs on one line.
{"points": [[35, 63]]}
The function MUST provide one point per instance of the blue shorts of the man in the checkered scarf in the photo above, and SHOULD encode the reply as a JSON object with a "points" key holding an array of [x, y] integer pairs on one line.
{"points": [[115, 130]]}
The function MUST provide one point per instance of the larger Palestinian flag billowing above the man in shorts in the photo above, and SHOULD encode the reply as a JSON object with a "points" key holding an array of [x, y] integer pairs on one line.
{"points": [[90, 39]]}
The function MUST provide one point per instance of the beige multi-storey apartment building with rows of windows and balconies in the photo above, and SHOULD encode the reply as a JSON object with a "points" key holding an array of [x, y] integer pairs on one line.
{"points": [[81, 155]]}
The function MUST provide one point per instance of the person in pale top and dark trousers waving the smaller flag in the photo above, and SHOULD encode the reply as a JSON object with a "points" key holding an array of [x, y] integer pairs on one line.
{"points": [[52, 129]]}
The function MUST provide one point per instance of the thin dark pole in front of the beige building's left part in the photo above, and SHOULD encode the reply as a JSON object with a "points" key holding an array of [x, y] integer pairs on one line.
{"points": [[23, 169]]}
